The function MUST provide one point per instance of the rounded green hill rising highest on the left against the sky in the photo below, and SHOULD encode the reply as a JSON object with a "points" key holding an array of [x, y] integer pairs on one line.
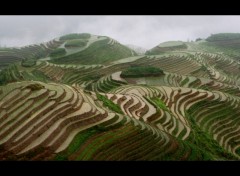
{"points": [[92, 50]]}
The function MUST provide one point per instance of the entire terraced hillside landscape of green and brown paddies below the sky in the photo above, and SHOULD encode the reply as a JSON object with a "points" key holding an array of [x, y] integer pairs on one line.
{"points": [[179, 104]]}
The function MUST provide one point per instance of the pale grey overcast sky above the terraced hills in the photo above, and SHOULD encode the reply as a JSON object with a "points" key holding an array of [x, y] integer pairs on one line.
{"points": [[144, 31]]}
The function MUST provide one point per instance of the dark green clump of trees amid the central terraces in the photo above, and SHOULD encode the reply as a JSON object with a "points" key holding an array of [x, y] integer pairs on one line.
{"points": [[141, 71]]}
